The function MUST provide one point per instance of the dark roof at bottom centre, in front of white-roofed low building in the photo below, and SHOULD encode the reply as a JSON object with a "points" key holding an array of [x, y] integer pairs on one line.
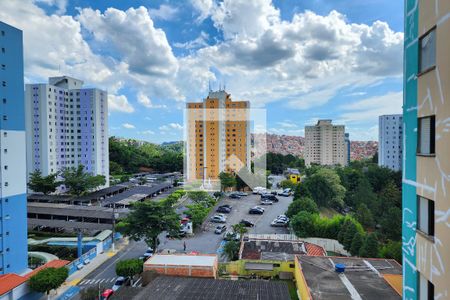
{"points": [[175, 288]]}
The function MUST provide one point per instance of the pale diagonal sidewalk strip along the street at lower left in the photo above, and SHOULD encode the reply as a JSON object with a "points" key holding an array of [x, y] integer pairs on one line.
{"points": [[69, 289]]}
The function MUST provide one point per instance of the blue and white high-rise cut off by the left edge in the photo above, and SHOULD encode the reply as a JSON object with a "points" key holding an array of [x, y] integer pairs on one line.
{"points": [[13, 203]]}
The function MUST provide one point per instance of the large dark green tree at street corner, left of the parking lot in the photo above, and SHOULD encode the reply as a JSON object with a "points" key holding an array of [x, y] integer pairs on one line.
{"points": [[148, 219]]}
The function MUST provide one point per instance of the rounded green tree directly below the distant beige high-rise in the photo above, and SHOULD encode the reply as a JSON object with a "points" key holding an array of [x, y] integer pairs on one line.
{"points": [[325, 188]]}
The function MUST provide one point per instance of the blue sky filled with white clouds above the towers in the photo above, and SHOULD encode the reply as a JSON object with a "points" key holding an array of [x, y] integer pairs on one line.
{"points": [[300, 60]]}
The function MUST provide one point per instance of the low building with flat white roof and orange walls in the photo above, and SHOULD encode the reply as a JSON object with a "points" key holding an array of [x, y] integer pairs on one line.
{"points": [[183, 265]]}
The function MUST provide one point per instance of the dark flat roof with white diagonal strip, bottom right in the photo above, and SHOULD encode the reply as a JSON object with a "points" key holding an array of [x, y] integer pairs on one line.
{"points": [[369, 278]]}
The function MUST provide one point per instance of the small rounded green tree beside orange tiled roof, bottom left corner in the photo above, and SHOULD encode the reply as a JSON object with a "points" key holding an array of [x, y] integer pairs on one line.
{"points": [[48, 279]]}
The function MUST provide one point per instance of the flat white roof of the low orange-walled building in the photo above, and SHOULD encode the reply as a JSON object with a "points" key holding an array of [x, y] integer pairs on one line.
{"points": [[182, 260]]}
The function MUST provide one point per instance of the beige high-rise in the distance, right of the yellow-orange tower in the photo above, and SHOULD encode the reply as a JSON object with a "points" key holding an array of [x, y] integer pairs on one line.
{"points": [[325, 144]]}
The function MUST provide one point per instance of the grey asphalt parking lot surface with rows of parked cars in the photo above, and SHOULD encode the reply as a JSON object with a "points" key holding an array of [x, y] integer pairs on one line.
{"points": [[206, 241]]}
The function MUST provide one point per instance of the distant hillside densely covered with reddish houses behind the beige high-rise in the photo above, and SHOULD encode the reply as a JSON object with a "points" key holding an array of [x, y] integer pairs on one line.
{"points": [[295, 145]]}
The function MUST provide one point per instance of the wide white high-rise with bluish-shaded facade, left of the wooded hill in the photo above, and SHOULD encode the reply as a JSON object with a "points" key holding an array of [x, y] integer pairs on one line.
{"points": [[67, 125]]}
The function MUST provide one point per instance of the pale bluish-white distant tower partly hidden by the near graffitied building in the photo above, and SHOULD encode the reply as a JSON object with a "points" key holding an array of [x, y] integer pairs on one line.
{"points": [[390, 141]]}
